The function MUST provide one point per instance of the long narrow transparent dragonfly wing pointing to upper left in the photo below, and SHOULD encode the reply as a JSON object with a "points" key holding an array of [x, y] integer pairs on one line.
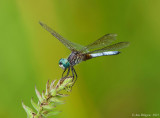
{"points": [[70, 45]]}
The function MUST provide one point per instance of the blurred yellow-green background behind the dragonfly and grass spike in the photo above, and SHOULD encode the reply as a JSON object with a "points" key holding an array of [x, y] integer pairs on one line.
{"points": [[107, 87]]}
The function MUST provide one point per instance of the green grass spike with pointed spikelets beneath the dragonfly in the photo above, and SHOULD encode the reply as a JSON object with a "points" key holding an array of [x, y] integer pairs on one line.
{"points": [[48, 101]]}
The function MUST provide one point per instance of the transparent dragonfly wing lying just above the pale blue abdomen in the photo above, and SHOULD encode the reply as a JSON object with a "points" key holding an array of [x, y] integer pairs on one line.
{"points": [[116, 46]]}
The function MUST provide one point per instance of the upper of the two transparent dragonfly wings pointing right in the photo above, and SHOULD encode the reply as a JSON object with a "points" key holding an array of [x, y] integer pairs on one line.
{"points": [[100, 43]]}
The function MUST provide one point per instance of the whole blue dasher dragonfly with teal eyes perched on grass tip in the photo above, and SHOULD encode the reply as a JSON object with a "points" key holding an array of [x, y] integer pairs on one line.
{"points": [[101, 47]]}
